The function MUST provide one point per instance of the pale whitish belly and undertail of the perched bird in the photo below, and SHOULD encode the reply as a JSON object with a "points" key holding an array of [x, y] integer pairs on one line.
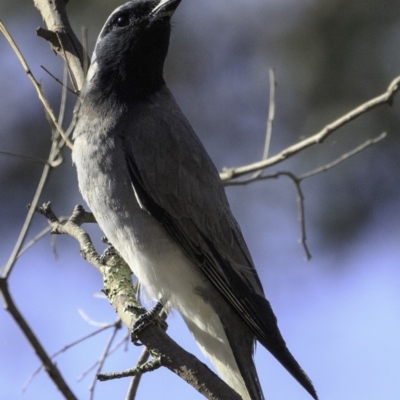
{"points": [[163, 270]]}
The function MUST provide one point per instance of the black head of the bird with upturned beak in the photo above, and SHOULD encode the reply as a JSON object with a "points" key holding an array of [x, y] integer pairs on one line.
{"points": [[130, 51]]}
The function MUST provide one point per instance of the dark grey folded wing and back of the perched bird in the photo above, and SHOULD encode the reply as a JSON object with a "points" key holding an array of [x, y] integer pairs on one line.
{"points": [[178, 184]]}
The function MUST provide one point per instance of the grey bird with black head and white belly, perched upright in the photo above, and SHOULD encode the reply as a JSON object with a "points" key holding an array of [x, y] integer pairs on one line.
{"points": [[158, 197]]}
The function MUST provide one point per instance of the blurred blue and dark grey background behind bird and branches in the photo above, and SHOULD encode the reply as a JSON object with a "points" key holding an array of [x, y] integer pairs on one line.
{"points": [[339, 312]]}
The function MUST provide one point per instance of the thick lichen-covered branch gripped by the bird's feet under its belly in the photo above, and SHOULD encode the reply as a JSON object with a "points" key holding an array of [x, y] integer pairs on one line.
{"points": [[119, 290]]}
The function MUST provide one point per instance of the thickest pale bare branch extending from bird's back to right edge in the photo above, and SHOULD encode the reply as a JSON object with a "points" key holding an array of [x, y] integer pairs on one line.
{"points": [[385, 98]]}
